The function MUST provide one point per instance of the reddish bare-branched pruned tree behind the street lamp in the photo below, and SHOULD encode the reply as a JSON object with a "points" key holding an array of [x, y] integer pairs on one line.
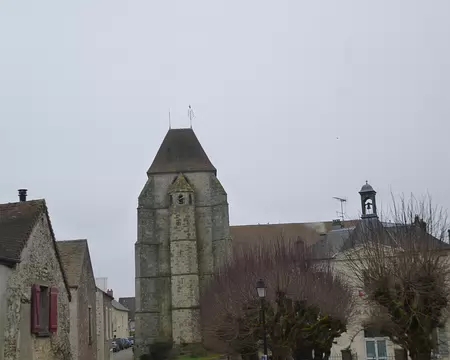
{"points": [[307, 305]]}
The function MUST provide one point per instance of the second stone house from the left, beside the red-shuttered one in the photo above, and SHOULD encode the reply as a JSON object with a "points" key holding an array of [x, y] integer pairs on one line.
{"points": [[76, 261]]}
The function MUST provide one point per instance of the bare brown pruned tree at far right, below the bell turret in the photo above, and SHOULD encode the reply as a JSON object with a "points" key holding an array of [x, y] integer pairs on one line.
{"points": [[403, 267]]}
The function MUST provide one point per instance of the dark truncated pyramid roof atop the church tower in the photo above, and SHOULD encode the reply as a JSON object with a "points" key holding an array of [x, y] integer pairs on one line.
{"points": [[179, 152]]}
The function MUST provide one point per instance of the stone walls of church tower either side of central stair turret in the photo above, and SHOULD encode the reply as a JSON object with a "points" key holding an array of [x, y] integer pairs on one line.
{"points": [[152, 249]]}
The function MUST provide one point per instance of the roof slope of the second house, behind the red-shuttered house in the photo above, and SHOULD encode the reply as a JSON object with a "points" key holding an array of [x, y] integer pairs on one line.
{"points": [[72, 254]]}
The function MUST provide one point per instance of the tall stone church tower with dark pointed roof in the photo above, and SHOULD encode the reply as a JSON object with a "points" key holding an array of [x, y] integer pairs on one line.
{"points": [[183, 238]]}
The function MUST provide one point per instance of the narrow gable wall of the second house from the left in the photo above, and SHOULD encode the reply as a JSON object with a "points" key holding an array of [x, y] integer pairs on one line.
{"points": [[87, 347]]}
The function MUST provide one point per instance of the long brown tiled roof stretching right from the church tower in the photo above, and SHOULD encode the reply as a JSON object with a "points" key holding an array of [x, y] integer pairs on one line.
{"points": [[308, 233]]}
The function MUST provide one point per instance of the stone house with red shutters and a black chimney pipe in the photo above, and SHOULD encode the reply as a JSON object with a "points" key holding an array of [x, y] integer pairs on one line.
{"points": [[34, 292]]}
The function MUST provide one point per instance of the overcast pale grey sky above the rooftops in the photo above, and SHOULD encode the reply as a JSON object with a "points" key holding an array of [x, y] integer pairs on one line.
{"points": [[295, 102]]}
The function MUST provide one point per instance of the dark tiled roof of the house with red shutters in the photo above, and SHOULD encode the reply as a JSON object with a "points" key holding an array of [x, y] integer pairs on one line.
{"points": [[17, 220]]}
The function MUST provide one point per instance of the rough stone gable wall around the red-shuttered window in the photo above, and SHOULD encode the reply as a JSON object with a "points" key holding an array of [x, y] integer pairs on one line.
{"points": [[39, 265]]}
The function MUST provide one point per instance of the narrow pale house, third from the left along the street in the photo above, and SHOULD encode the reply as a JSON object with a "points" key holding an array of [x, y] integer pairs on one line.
{"points": [[104, 325]]}
